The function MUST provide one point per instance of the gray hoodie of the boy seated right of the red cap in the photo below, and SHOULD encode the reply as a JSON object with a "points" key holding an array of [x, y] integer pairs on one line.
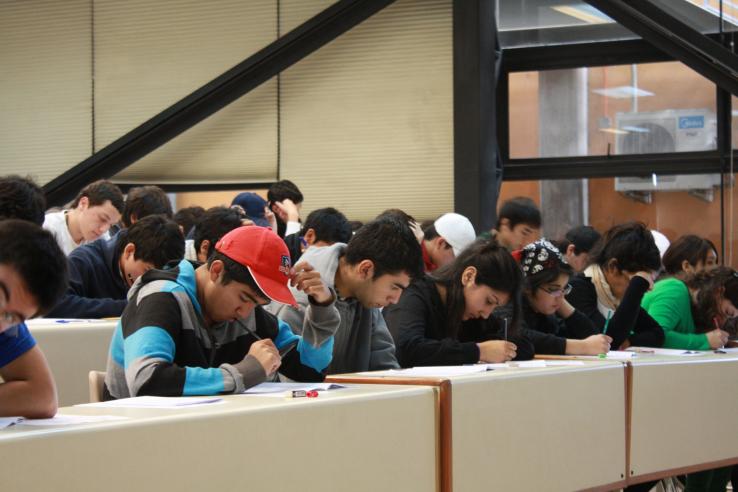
{"points": [[362, 341]]}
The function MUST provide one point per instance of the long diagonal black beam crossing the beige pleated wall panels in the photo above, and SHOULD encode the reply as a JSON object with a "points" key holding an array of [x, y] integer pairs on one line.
{"points": [[213, 96]]}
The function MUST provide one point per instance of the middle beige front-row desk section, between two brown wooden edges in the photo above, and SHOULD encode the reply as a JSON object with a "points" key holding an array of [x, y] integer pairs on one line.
{"points": [[556, 428]]}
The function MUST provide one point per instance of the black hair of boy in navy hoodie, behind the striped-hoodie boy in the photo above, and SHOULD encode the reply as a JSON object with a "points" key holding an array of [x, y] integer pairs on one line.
{"points": [[158, 240]]}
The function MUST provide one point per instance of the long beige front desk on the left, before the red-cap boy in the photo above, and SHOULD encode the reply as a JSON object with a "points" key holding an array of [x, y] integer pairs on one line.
{"points": [[368, 438]]}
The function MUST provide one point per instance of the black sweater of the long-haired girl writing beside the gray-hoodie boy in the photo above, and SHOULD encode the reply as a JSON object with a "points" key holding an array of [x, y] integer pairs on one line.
{"points": [[418, 324]]}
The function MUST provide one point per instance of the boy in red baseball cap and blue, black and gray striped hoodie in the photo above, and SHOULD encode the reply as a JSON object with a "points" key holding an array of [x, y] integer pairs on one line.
{"points": [[202, 331]]}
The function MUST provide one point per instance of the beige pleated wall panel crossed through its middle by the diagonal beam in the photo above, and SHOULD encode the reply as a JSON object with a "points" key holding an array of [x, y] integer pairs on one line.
{"points": [[149, 55]]}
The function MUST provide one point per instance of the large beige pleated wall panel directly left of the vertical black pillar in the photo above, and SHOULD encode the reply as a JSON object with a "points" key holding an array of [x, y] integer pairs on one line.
{"points": [[367, 120]]}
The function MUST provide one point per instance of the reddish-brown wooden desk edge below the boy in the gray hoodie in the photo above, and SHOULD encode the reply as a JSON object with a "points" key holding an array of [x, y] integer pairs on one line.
{"points": [[445, 458]]}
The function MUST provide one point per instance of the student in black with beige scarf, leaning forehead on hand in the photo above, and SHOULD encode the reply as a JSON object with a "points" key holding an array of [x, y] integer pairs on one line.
{"points": [[609, 291]]}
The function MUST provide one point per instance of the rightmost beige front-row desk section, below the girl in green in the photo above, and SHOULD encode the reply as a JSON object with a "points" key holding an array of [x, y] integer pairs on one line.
{"points": [[683, 411]]}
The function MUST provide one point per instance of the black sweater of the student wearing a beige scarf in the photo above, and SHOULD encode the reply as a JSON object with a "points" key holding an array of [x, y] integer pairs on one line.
{"points": [[628, 322]]}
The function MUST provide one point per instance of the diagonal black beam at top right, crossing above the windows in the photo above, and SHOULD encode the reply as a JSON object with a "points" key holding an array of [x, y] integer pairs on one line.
{"points": [[697, 51]]}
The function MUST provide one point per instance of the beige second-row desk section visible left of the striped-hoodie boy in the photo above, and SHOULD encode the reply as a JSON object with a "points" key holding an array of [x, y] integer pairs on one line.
{"points": [[73, 349]]}
